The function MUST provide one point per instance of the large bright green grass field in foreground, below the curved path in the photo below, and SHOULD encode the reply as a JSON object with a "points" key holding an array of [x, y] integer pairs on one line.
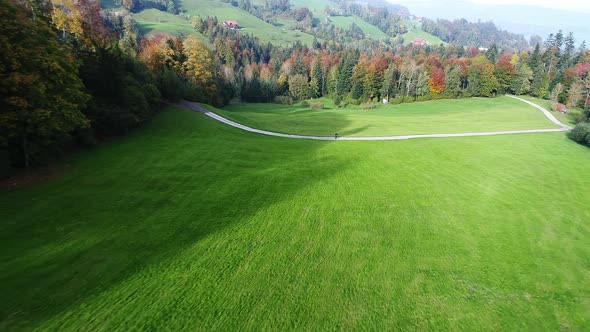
{"points": [[189, 224]]}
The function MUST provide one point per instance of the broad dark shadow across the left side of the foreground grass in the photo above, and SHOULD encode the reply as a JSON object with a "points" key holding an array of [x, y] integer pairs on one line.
{"points": [[136, 203]]}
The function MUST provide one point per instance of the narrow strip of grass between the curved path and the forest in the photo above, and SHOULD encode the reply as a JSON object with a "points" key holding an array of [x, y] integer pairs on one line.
{"points": [[442, 116]]}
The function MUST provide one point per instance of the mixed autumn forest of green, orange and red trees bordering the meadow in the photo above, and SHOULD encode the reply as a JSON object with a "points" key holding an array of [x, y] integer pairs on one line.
{"points": [[73, 74]]}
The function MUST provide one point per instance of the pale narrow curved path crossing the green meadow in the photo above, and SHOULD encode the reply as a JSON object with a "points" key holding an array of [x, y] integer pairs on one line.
{"points": [[564, 127]]}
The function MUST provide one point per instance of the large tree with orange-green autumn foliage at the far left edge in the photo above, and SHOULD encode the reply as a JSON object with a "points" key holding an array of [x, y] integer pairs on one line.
{"points": [[42, 97]]}
